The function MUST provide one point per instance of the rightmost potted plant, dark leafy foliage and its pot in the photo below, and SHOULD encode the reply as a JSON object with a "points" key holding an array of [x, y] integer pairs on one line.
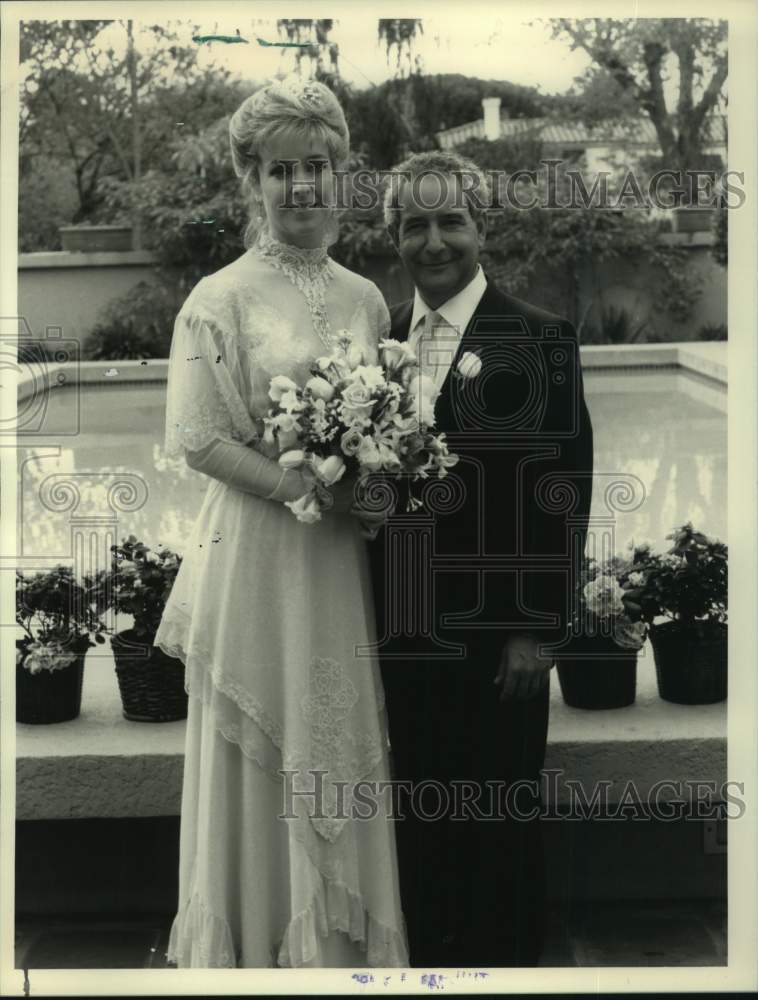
{"points": [[683, 598]]}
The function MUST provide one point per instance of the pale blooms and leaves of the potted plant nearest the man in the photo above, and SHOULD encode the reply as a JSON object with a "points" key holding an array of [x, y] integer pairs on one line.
{"points": [[608, 592]]}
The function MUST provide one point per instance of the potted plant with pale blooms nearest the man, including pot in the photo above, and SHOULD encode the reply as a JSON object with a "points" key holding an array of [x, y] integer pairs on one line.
{"points": [[598, 667]]}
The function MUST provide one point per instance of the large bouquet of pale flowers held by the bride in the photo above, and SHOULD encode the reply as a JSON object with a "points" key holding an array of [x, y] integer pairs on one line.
{"points": [[355, 418]]}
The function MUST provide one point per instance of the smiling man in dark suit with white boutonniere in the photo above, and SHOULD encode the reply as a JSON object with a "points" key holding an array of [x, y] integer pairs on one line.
{"points": [[467, 682]]}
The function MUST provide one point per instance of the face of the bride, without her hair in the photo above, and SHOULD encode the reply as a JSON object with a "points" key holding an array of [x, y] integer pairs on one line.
{"points": [[296, 184]]}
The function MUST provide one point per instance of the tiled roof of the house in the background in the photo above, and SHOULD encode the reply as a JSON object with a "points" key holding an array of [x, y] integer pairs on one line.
{"points": [[550, 130]]}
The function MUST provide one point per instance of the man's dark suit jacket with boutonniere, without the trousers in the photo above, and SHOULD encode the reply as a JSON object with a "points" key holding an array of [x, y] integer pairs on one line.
{"points": [[508, 538]]}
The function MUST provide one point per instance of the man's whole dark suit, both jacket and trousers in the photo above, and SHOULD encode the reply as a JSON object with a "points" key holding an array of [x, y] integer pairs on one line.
{"points": [[508, 525]]}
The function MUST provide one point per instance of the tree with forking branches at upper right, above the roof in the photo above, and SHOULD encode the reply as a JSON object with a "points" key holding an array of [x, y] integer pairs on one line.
{"points": [[637, 55]]}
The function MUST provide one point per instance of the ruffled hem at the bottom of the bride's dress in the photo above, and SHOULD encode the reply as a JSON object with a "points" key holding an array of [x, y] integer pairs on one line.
{"points": [[201, 939]]}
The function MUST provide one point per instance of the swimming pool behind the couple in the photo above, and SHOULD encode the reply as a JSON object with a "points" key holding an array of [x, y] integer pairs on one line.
{"points": [[662, 431]]}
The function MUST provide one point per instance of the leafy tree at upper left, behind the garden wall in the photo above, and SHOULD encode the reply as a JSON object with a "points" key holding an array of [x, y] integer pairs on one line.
{"points": [[80, 98]]}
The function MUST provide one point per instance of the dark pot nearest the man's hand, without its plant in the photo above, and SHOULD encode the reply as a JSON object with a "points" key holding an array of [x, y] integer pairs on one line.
{"points": [[596, 673]]}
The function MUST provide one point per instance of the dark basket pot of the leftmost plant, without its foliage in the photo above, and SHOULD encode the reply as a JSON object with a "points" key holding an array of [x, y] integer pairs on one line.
{"points": [[50, 696]]}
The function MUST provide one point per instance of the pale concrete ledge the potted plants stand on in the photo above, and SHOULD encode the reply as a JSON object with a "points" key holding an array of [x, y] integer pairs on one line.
{"points": [[101, 765]]}
